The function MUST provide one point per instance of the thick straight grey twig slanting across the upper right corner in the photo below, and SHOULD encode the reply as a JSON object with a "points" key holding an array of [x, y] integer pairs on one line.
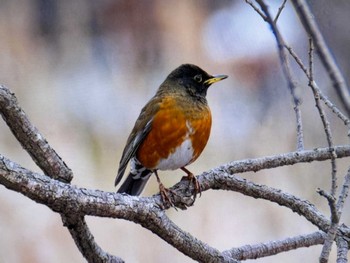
{"points": [[323, 52]]}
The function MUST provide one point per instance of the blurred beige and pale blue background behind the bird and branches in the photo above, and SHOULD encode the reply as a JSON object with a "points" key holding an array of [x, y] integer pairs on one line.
{"points": [[82, 71]]}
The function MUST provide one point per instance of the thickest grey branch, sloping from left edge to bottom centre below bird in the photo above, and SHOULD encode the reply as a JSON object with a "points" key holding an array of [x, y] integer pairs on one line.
{"points": [[77, 202]]}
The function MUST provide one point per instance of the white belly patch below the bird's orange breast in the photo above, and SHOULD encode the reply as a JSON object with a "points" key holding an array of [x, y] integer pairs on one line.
{"points": [[180, 158]]}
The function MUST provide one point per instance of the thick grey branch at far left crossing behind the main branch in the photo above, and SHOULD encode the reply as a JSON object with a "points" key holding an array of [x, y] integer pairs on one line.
{"points": [[52, 165]]}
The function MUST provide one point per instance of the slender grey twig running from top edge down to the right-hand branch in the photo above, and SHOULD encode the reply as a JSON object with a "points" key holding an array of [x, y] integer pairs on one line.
{"points": [[287, 73]]}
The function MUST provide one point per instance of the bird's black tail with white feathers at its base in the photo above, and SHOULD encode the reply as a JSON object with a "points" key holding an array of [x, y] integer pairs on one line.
{"points": [[134, 185]]}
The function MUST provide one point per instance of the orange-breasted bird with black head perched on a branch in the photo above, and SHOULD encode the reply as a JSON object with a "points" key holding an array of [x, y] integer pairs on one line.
{"points": [[171, 131]]}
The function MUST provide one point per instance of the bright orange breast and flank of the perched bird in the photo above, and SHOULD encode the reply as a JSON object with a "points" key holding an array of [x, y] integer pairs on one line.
{"points": [[170, 127]]}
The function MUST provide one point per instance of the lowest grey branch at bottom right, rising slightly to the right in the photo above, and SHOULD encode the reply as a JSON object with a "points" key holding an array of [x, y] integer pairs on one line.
{"points": [[276, 247]]}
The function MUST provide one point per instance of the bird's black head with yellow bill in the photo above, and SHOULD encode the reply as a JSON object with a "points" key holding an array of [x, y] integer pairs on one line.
{"points": [[194, 79]]}
